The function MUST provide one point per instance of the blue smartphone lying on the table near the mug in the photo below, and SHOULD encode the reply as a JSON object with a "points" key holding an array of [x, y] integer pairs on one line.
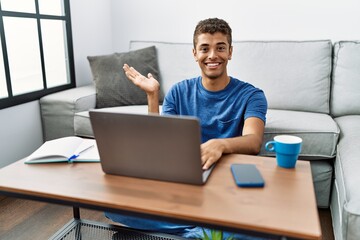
{"points": [[247, 175]]}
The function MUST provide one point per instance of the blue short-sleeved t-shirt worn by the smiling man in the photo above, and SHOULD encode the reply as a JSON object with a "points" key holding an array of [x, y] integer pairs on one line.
{"points": [[221, 113]]}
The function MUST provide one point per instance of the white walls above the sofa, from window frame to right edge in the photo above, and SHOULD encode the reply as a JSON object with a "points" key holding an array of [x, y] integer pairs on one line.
{"points": [[103, 27]]}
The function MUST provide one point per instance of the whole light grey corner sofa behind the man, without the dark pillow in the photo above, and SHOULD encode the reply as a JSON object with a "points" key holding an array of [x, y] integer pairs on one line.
{"points": [[313, 91]]}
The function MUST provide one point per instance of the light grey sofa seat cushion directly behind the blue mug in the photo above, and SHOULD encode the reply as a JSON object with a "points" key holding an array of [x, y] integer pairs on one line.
{"points": [[318, 131]]}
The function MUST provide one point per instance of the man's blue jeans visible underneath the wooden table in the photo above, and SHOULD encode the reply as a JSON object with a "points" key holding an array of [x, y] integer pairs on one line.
{"points": [[186, 231]]}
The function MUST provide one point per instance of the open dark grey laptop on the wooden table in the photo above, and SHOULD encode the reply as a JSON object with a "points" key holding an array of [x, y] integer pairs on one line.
{"points": [[165, 148]]}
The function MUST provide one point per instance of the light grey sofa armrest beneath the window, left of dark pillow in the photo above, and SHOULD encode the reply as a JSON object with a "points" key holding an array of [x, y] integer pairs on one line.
{"points": [[58, 110]]}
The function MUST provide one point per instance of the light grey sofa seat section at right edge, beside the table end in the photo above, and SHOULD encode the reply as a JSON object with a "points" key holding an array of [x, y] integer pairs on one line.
{"points": [[345, 203]]}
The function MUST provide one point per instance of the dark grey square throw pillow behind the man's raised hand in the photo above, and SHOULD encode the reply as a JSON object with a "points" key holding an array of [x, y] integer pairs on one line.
{"points": [[112, 86]]}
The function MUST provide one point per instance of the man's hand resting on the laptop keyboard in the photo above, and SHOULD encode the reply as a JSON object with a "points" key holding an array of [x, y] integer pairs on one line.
{"points": [[211, 152]]}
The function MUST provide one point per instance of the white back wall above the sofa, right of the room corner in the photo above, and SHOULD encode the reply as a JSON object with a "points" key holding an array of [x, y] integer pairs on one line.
{"points": [[174, 20]]}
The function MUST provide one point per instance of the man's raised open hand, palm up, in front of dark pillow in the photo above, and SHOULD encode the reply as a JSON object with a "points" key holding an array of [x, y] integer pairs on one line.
{"points": [[149, 84]]}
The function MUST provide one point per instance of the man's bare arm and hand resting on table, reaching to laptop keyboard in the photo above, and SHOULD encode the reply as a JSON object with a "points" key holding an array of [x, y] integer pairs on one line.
{"points": [[249, 143]]}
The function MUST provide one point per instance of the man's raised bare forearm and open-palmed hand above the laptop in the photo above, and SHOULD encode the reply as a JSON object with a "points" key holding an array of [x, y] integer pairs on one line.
{"points": [[149, 84]]}
